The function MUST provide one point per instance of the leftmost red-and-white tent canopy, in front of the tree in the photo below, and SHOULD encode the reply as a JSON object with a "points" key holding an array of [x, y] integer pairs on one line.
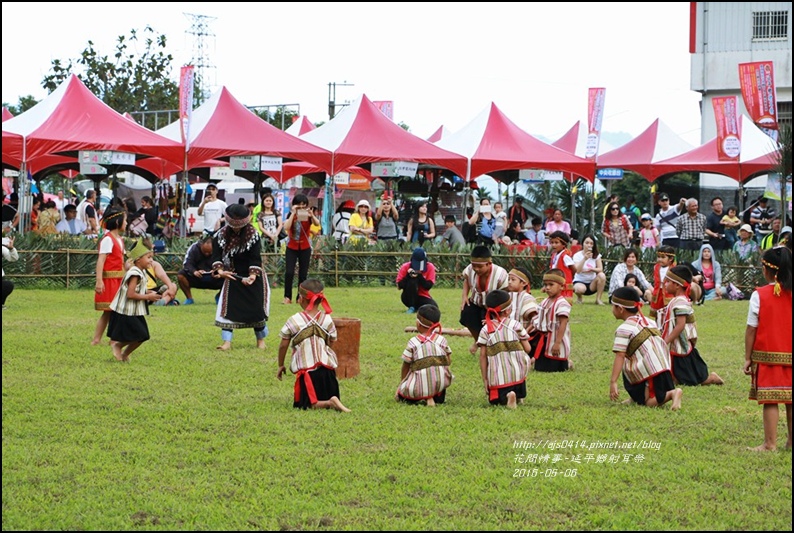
{"points": [[72, 118]]}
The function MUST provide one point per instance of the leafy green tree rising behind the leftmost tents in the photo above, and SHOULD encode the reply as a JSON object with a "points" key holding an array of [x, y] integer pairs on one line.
{"points": [[128, 81]]}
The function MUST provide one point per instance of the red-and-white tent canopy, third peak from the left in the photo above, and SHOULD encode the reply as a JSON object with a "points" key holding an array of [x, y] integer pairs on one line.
{"points": [[361, 133]]}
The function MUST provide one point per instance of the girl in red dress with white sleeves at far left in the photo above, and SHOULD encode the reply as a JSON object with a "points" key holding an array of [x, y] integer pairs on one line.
{"points": [[110, 267]]}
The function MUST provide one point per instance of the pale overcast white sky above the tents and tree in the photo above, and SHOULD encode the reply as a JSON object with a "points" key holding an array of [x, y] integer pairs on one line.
{"points": [[441, 64]]}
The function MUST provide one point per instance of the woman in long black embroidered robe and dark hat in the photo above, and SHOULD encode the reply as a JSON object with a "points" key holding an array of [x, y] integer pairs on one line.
{"points": [[237, 260]]}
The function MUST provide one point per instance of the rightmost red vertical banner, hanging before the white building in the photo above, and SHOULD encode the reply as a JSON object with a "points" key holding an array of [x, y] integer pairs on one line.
{"points": [[757, 81]]}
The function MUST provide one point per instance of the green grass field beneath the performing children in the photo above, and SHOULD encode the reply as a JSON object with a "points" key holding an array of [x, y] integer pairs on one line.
{"points": [[187, 437]]}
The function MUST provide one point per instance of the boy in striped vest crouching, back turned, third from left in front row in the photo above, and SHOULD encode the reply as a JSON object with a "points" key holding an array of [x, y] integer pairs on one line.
{"points": [[504, 344]]}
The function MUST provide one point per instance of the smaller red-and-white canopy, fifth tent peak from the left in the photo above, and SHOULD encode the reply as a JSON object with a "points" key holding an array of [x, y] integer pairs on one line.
{"points": [[641, 154]]}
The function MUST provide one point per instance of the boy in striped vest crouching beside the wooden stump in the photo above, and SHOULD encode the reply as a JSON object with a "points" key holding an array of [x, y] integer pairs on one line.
{"points": [[311, 332]]}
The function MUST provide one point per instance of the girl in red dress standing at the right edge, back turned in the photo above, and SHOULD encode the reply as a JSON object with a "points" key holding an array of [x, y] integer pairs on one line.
{"points": [[767, 344]]}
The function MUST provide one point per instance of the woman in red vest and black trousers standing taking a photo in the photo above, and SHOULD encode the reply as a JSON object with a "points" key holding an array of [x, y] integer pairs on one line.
{"points": [[299, 247]]}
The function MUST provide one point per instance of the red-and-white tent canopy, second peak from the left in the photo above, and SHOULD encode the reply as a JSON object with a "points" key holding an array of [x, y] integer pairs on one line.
{"points": [[223, 127]]}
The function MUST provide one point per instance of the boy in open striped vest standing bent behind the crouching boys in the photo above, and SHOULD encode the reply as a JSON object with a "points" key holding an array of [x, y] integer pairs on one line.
{"points": [[480, 277]]}
